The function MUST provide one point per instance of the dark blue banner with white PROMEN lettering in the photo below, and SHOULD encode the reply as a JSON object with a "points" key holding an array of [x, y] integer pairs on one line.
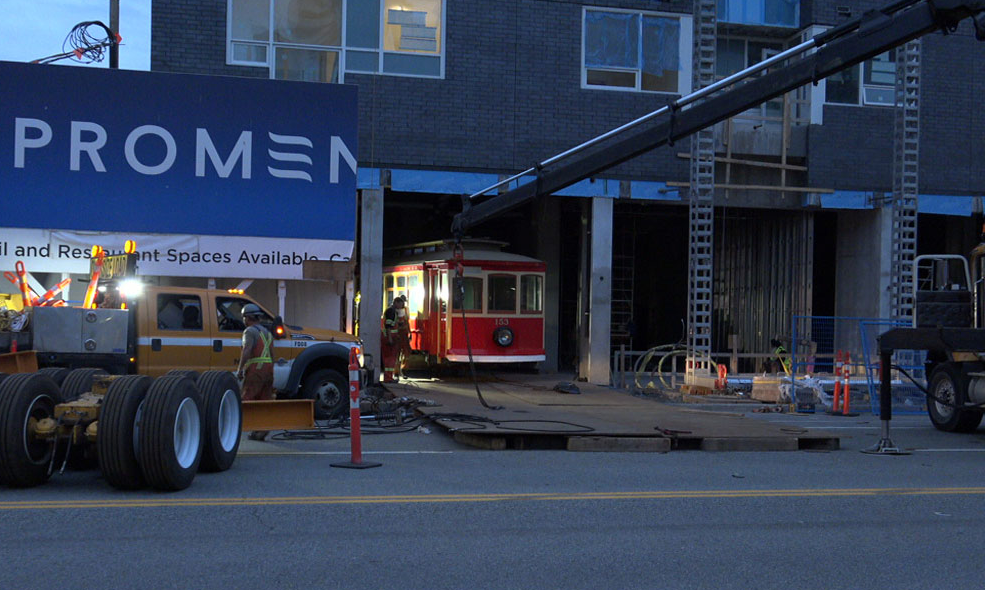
{"points": [[91, 149]]}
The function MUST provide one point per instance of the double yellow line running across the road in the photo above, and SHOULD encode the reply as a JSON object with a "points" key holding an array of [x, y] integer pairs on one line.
{"points": [[442, 498]]}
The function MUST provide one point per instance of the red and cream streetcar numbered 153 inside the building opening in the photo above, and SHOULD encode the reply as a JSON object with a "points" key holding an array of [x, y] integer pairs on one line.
{"points": [[503, 301]]}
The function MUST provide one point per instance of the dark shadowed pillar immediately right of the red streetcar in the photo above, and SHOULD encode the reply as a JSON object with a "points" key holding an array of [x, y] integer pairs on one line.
{"points": [[548, 228]]}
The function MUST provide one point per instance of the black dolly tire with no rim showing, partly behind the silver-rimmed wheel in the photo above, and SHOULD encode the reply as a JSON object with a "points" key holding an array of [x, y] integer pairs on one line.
{"points": [[119, 427]]}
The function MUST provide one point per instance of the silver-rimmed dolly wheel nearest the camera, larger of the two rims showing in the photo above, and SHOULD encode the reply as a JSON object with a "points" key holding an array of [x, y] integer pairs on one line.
{"points": [[170, 440]]}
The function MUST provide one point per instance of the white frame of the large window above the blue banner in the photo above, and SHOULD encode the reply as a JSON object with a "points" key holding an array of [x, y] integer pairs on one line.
{"points": [[342, 49]]}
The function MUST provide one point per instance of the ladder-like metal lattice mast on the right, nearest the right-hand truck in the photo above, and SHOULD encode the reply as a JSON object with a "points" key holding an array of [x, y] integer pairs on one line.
{"points": [[906, 143]]}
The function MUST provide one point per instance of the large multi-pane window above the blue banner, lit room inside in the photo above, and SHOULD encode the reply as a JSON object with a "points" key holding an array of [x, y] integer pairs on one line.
{"points": [[320, 40]]}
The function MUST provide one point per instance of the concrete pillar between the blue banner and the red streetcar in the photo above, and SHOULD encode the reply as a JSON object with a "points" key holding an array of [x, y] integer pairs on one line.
{"points": [[371, 272]]}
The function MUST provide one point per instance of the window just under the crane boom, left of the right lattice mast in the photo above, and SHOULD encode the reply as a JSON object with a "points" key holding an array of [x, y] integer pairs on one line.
{"points": [[871, 83]]}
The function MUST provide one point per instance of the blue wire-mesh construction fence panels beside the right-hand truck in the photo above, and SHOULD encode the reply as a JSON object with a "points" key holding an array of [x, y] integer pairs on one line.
{"points": [[815, 342]]}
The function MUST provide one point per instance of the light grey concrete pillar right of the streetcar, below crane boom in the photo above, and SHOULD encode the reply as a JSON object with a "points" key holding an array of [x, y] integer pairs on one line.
{"points": [[600, 292]]}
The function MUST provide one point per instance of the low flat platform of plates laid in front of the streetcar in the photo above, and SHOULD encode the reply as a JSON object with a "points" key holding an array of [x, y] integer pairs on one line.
{"points": [[530, 414]]}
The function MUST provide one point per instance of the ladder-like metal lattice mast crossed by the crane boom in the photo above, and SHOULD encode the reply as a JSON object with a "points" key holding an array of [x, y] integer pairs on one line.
{"points": [[701, 204]]}
